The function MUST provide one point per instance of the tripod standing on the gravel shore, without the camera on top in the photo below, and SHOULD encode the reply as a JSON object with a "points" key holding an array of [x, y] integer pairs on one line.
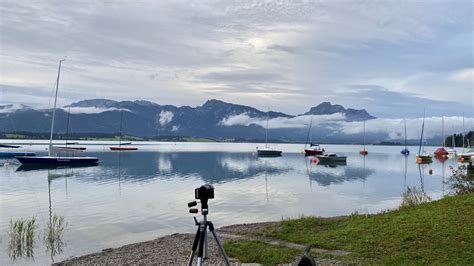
{"points": [[200, 240]]}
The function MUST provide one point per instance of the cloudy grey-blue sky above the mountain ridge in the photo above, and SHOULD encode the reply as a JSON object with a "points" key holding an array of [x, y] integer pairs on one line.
{"points": [[392, 58]]}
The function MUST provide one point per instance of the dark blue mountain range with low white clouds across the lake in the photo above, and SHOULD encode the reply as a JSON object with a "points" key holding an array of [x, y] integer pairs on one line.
{"points": [[214, 119]]}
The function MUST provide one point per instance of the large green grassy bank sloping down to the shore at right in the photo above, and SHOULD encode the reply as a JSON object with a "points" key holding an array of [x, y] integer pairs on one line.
{"points": [[439, 232]]}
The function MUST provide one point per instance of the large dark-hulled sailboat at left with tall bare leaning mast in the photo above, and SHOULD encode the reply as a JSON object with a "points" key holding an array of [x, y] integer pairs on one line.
{"points": [[51, 159]]}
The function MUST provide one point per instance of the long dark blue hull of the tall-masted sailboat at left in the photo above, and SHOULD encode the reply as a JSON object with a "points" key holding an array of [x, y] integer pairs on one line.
{"points": [[50, 160]]}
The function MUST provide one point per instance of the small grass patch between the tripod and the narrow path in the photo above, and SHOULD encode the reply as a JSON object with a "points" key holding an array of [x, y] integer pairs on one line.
{"points": [[259, 252]]}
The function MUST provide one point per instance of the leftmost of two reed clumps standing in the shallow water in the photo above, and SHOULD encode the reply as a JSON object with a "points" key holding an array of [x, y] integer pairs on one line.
{"points": [[22, 236]]}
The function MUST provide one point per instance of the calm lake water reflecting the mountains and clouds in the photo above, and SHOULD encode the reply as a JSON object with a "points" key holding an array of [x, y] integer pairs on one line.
{"points": [[138, 196]]}
